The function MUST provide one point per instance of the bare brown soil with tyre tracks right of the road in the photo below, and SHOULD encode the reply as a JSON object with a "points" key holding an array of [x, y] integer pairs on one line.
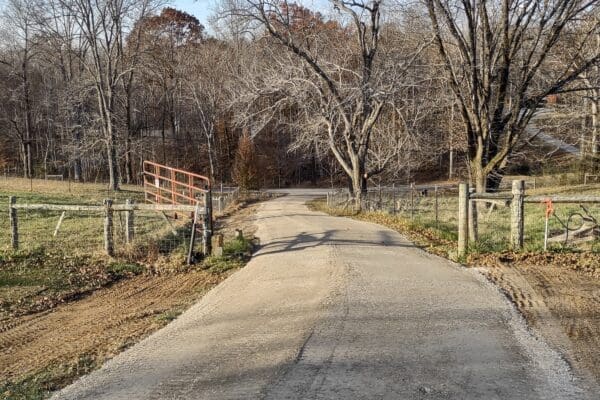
{"points": [[559, 294]]}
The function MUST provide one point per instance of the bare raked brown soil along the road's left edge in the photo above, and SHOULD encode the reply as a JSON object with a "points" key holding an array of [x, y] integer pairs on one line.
{"points": [[105, 322]]}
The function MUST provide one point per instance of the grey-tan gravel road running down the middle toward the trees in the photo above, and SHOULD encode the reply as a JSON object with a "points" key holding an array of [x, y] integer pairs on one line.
{"points": [[331, 308]]}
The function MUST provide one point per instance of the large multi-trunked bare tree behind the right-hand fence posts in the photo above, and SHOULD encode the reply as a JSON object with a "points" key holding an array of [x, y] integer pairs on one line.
{"points": [[496, 54]]}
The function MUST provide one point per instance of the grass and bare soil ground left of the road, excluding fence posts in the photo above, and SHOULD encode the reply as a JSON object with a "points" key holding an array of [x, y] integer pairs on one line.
{"points": [[62, 293]]}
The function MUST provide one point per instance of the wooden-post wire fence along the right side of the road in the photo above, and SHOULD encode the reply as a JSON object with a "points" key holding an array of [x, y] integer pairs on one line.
{"points": [[488, 222]]}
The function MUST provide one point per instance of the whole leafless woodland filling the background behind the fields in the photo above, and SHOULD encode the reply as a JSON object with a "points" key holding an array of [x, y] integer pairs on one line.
{"points": [[363, 91]]}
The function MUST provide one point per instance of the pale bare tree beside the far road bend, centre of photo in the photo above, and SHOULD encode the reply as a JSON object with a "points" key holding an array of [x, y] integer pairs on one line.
{"points": [[349, 84]]}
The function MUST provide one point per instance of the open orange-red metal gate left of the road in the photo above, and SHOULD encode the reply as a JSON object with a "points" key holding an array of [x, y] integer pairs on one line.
{"points": [[166, 185]]}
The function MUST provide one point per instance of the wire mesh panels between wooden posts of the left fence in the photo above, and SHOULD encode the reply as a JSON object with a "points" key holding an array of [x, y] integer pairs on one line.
{"points": [[148, 232]]}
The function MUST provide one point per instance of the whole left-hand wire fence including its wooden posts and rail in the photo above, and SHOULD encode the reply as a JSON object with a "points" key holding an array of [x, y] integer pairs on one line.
{"points": [[85, 228]]}
